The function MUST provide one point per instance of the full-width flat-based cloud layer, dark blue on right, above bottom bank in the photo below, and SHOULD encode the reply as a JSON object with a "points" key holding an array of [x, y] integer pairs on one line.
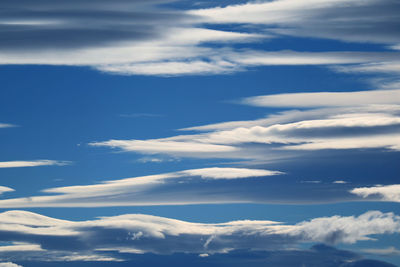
{"points": [[214, 185]]}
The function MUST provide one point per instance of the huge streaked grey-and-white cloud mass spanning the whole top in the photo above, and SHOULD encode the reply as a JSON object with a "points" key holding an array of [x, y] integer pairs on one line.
{"points": [[149, 38]]}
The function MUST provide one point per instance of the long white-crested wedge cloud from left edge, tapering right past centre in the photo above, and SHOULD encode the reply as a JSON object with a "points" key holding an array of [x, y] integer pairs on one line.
{"points": [[136, 191]]}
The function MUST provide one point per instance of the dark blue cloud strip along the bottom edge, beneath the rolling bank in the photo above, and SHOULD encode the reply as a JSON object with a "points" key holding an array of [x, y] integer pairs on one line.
{"points": [[316, 256]]}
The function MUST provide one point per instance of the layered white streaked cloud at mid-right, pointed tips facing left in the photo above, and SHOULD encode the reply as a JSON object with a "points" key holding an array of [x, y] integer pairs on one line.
{"points": [[328, 120]]}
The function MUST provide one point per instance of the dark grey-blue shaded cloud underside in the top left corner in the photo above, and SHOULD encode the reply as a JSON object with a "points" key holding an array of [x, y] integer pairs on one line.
{"points": [[77, 24]]}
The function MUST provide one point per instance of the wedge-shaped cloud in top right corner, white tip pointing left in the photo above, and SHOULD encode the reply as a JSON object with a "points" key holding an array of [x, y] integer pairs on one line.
{"points": [[334, 19]]}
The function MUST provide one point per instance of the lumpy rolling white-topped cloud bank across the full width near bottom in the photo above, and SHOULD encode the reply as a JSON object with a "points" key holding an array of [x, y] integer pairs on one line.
{"points": [[166, 236]]}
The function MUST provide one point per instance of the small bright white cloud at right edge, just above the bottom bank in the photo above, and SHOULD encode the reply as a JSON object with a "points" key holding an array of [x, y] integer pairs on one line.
{"points": [[385, 193]]}
